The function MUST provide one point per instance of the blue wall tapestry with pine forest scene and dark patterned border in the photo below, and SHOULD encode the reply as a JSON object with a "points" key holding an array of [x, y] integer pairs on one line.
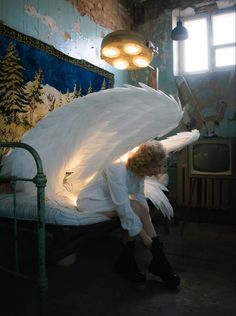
{"points": [[35, 79]]}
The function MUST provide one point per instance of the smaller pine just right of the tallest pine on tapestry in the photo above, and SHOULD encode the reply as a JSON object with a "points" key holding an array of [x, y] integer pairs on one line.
{"points": [[35, 94]]}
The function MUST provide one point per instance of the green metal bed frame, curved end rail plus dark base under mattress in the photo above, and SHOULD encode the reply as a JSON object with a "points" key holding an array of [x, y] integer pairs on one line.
{"points": [[67, 238]]}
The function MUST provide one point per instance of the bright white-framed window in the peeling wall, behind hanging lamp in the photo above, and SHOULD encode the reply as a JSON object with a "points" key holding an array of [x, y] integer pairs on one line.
{"points": [[210, 46]]}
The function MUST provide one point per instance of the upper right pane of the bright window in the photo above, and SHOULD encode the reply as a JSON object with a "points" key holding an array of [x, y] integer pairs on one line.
{"points": [[223, 28]]}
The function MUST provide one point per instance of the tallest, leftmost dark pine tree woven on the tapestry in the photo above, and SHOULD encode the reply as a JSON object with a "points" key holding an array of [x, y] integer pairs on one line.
{"points": [[13, 95]]}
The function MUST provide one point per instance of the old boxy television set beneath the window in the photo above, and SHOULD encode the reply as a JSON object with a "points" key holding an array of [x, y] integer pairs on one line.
{"points": [[213, 157]]}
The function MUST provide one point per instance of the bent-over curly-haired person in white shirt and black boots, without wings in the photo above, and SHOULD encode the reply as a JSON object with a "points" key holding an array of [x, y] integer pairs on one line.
{"points": [[120, 192]]}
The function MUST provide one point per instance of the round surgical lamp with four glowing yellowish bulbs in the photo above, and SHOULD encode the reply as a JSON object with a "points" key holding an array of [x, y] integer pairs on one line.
{"points": [[125, 49]]}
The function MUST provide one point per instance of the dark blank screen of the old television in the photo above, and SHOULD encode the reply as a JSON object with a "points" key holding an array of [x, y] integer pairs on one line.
{"points": [[211, 158]]}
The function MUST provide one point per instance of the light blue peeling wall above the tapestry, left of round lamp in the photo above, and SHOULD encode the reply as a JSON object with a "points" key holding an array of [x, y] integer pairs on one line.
{"points": [[60, 24]]}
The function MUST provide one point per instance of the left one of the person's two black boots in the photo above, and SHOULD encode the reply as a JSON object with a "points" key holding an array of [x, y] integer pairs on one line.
{"points": [[127, 265]]}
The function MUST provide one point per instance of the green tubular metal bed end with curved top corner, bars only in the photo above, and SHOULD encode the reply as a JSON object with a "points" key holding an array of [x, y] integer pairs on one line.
{"points": [[40, 182]]}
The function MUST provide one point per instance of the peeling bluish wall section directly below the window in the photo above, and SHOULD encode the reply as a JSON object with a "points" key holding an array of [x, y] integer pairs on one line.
{"points": [[215, 100]]}
